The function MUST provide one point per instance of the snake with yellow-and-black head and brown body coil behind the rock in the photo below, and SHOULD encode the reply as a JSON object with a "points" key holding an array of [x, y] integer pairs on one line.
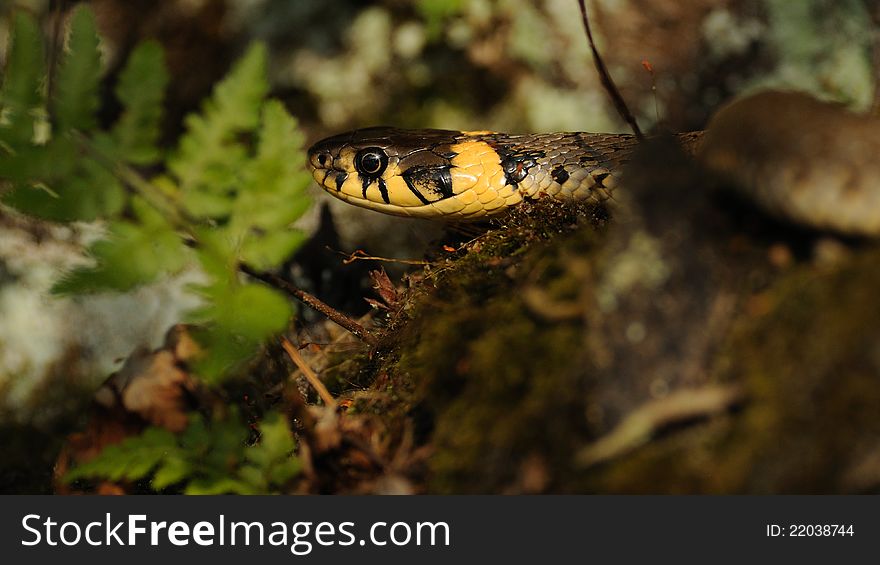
{"points": [[811, 162]]}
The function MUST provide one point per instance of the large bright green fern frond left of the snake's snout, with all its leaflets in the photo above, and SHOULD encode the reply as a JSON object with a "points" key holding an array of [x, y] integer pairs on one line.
{"points": [[255, 190]]}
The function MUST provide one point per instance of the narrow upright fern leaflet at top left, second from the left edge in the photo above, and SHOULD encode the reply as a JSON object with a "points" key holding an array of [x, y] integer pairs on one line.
{"points": [[76, 98]]}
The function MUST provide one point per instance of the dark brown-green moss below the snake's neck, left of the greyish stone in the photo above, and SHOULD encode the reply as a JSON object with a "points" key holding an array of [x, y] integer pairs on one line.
{"points": [[487, 377]]}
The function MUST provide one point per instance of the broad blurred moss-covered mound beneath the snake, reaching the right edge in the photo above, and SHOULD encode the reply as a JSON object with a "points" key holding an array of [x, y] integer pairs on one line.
{"points": [[506, 366]]}
